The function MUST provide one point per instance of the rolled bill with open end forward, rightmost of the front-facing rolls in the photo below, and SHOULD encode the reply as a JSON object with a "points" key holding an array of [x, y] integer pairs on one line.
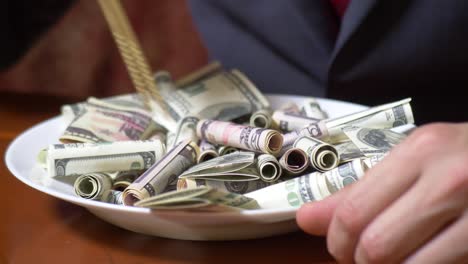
{"points": [[322, 156]]}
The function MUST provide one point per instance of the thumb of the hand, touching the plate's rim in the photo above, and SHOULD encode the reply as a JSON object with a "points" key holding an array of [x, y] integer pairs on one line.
{"points": [[315, 217]]}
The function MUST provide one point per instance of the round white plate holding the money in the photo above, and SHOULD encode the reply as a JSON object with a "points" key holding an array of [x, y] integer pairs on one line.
{"points": [[20, 159]]}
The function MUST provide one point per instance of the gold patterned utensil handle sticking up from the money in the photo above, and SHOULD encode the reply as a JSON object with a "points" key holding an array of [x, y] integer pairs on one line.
{"points": [[131, 52]]}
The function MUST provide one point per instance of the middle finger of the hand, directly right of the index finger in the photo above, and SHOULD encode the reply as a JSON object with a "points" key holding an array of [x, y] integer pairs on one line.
{"points": [[437, 198]]}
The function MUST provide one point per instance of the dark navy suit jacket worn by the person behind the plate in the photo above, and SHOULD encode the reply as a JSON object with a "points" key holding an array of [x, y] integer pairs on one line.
{"points": [[382, 51]]}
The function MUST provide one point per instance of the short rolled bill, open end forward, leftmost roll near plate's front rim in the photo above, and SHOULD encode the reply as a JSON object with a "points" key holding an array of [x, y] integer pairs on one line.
{"points": [[92, 185]]}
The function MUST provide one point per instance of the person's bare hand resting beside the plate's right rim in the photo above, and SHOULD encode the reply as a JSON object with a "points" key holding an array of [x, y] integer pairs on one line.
{"points": [[412, 206]]}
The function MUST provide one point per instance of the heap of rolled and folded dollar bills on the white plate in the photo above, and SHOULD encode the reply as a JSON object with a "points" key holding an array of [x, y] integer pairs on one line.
{"points": [[220, 147]]}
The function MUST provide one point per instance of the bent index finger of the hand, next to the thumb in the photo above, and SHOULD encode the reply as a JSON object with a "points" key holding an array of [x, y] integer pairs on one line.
{"points": [[381, 185]]}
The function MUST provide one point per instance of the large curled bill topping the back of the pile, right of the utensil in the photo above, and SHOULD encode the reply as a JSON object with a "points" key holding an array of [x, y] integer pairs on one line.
{"points": [[225, 95]]}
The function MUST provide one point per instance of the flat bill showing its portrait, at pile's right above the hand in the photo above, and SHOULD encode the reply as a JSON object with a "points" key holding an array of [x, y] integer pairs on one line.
{"points": [[373, 141]]}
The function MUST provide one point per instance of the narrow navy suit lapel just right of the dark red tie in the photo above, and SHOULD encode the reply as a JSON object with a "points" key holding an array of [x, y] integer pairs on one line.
{"points": [[355, 14]]}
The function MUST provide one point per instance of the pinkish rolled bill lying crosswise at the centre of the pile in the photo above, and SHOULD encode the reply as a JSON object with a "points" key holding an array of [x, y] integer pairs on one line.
{"points": [[239, 136]]}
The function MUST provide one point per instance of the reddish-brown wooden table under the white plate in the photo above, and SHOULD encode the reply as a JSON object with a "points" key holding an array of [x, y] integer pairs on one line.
{"points": [[38, 228]]}
